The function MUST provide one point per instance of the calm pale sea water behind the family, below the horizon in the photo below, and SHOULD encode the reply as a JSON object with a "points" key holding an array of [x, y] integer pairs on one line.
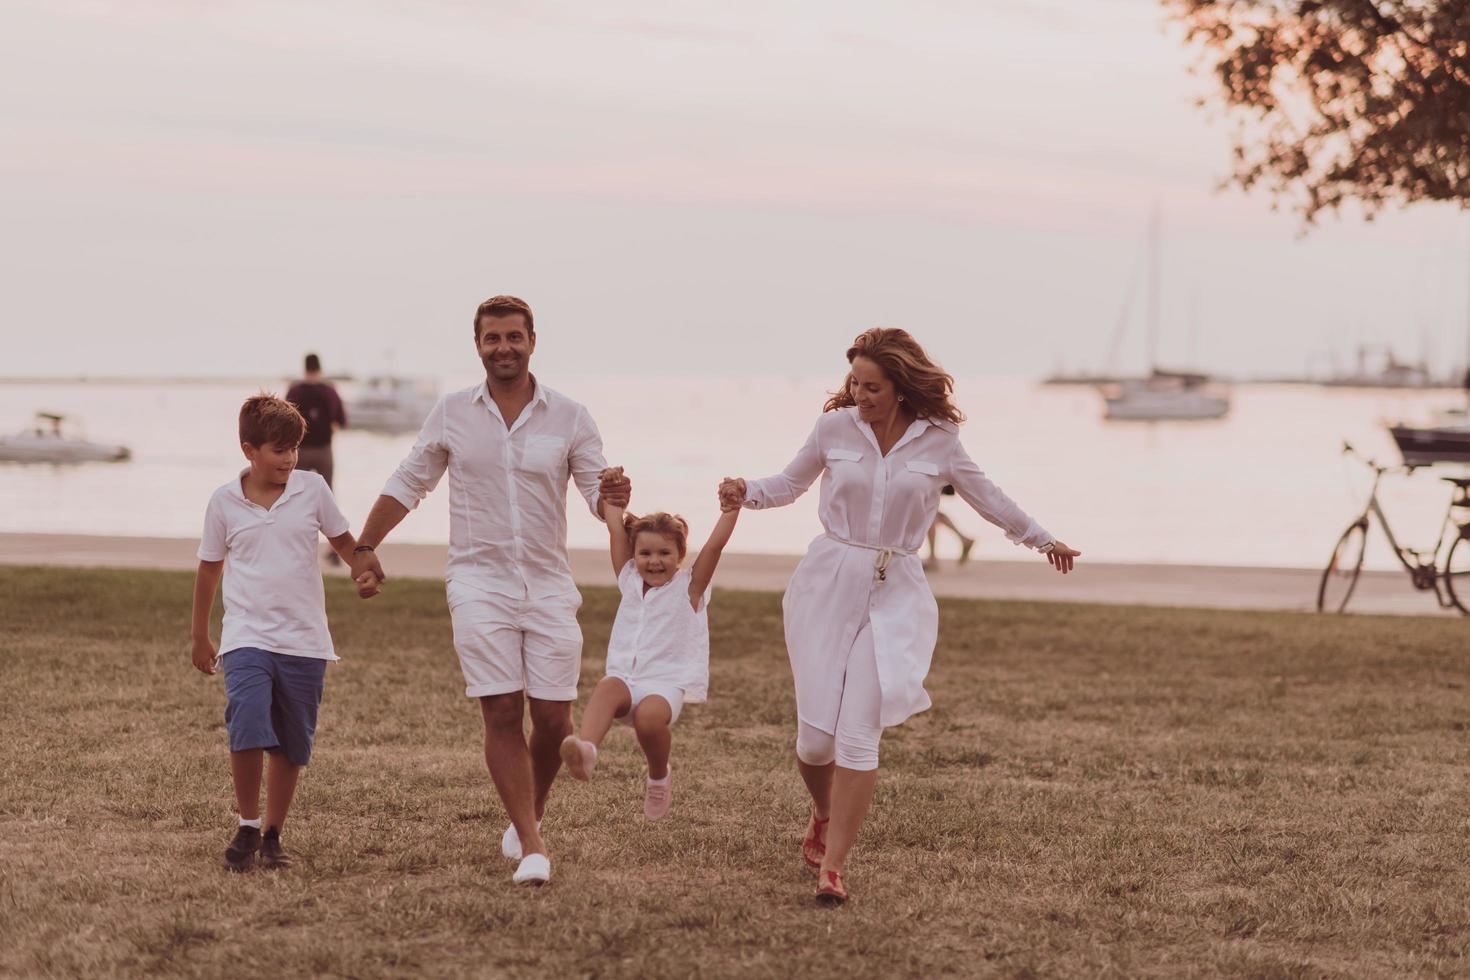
{"points": [[1265, 487]]}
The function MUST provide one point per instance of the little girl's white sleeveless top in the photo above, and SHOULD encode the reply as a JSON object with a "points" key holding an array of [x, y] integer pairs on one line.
{"points": [[659, 637]]}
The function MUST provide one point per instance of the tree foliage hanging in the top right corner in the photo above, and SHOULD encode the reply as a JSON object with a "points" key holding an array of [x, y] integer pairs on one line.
{"points": [[1343, 99]]}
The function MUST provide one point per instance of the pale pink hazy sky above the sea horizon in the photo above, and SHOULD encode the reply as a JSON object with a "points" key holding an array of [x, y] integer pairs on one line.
{"points": [[746, 186]]}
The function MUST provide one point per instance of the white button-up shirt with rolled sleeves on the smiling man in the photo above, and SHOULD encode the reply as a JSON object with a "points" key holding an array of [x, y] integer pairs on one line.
{"points": [[508, 487]]}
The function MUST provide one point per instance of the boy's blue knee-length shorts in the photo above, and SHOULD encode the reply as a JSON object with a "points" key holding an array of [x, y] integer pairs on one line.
{"points": [[271, 702]]}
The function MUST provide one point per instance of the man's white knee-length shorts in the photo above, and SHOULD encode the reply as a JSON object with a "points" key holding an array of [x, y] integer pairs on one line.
{"points": [[508, 644]]}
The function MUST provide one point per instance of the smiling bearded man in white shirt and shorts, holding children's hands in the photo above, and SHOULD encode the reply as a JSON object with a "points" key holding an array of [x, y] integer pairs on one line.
{"points": [[509, 446]]}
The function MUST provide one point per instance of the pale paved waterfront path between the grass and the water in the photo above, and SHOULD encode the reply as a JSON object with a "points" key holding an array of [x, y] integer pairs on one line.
{"points": [[1219, 587]]}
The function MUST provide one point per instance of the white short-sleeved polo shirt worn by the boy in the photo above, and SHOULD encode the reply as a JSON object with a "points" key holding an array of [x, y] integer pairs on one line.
{"points": [[274, 596]]}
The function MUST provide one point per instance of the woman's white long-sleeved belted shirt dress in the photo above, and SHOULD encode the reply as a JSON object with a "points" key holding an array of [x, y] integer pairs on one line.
{"points": [[875, 514]]}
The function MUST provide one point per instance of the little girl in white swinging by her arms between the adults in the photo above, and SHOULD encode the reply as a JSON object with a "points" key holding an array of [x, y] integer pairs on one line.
{"points": [[659, 653]]}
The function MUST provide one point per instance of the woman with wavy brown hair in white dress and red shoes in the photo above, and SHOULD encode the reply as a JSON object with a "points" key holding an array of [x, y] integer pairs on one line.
{"points": [[859, 616]]}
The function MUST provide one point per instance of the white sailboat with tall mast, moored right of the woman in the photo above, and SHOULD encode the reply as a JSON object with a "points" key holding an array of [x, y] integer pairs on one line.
{"points": [[1161, 396]]}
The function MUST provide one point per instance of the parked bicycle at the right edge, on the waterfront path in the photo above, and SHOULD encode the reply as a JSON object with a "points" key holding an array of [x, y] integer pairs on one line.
{"points": [[1450, 584]]}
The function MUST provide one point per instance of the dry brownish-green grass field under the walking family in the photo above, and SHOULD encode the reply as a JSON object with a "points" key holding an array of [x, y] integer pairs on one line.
{"points": [[1099, 791]]}
